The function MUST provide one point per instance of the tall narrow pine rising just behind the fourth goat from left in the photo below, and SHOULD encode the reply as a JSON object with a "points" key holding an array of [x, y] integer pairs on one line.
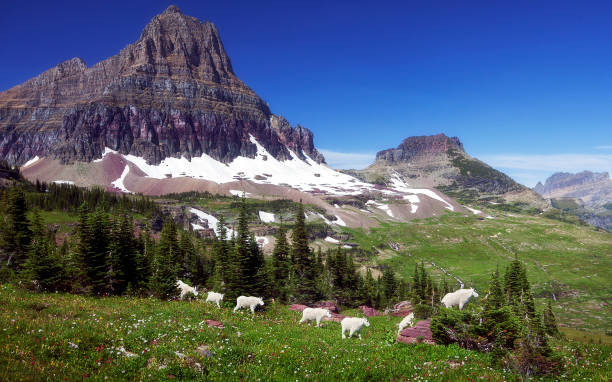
{"points": [[302, 259]]}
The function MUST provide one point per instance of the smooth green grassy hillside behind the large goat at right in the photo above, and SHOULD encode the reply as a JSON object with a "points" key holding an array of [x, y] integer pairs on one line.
{"points": [[574, 262]]}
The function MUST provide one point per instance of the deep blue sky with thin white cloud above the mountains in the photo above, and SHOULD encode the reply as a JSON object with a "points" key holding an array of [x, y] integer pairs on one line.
{"points": [[526, 86]]}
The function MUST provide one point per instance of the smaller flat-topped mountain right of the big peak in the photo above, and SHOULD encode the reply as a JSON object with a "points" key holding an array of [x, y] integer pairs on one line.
{"points": [[440, 161]]}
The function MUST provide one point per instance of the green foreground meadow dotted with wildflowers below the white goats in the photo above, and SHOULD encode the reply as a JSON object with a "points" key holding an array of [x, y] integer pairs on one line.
{"points": [[69, 337]]}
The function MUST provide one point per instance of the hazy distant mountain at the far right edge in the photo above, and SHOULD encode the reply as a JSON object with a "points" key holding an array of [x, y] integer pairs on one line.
{"points": [[586, 194]]}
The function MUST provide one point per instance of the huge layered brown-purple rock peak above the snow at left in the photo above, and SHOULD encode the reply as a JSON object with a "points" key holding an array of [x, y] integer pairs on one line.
{"points": [[172, 93]]}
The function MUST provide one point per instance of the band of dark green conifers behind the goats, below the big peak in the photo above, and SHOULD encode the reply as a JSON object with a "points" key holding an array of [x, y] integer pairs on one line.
{"points": [[107, 255]]}
